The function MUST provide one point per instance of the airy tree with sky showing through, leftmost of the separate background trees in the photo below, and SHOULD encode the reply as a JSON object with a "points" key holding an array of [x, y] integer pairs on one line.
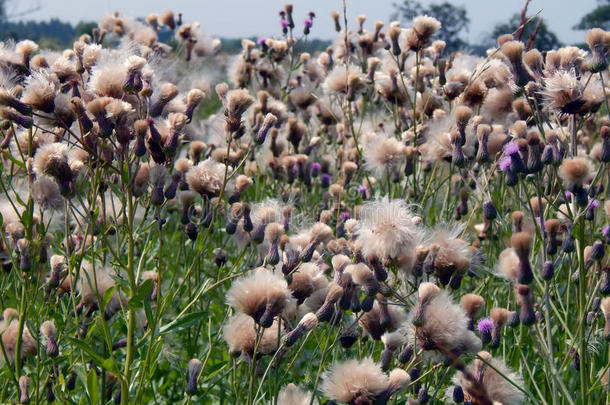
{"points": [[454, 19]]}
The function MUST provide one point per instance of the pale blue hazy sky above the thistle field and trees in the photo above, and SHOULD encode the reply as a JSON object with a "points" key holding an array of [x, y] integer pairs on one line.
{"points": [[244, 18]]}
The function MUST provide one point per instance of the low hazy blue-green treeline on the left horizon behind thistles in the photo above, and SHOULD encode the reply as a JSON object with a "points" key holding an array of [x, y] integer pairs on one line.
{"points": [[57, 34]]}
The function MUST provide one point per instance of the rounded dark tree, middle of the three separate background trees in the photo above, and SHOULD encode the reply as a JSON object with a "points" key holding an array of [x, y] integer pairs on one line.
{"points": [[545, 39]]}
